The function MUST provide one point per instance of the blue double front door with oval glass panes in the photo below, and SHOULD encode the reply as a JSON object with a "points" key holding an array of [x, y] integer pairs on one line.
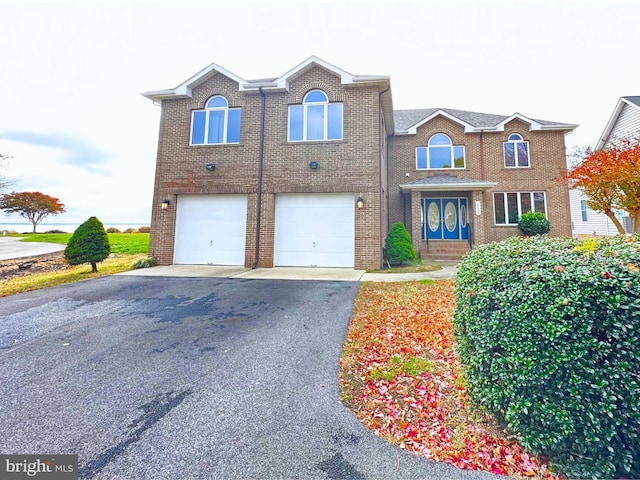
{"points": [[445, 219]]}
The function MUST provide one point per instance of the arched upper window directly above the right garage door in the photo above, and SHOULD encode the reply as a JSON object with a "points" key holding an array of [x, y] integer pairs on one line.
{"points": [[315, 119]]}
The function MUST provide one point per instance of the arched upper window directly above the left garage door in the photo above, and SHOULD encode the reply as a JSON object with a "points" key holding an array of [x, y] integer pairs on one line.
{"points": [[216, 124]]}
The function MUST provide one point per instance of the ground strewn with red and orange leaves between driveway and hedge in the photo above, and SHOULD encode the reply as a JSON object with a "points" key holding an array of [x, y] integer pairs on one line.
{"points": [[401, 377]]}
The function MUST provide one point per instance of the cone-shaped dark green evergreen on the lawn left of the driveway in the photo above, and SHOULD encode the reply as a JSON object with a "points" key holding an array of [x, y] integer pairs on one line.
{"points": [[88, 244]]}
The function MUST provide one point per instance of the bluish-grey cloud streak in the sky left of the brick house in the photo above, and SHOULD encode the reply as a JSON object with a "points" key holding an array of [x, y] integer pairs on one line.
{"points": [[76, 152]]}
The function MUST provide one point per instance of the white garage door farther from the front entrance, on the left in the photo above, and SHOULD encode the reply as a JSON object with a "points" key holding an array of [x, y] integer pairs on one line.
{"points": [[211, 229]]}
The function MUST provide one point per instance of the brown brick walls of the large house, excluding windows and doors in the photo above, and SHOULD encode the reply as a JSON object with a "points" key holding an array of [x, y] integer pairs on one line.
{"points": [[369, 161]]}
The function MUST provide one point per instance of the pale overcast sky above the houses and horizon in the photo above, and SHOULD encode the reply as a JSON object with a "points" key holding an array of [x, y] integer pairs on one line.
{"points": [[76, 126]]}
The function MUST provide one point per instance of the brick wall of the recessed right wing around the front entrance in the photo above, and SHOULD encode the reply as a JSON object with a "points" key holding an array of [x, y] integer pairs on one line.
{"points": [[484, 159]]}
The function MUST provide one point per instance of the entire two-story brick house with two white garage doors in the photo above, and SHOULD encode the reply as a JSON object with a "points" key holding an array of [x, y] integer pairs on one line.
{"points": [[313, 167]]}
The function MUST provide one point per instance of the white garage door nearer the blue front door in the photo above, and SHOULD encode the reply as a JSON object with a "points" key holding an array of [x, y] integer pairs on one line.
{"points": [[314, 231]]}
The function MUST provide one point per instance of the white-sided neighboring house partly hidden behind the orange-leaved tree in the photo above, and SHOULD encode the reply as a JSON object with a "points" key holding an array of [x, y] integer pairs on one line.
{"points": [[624, 123]]}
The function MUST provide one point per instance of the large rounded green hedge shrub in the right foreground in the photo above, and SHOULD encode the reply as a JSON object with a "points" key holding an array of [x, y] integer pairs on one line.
{"points": [[548, 333]]}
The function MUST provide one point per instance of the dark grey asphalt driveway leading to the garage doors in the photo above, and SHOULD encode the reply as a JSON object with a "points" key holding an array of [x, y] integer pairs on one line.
{"points": [[190, 378]]}
